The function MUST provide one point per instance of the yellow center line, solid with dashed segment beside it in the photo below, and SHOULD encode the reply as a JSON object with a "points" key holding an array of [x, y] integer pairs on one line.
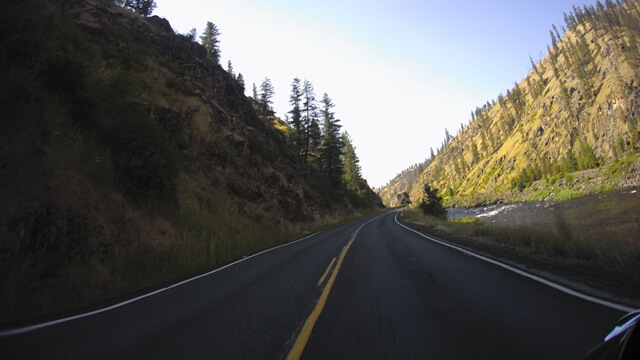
{"points": [[307, 328]]}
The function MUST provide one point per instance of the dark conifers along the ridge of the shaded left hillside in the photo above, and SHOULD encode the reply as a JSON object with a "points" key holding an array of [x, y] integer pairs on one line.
{"points": [[315, 132]]}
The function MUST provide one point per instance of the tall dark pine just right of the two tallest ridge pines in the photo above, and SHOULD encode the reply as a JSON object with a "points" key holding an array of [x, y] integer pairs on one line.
{"points": [[331, 147]]}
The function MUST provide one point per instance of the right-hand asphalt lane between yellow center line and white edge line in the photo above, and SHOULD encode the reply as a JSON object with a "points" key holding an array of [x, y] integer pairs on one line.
{"points": [[402, 296]]}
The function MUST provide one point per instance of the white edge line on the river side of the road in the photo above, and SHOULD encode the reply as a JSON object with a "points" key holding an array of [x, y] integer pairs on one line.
{"points": [[556, 286]]}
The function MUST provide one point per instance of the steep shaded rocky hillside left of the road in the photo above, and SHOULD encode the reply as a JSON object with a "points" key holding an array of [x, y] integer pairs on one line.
{"points": [[128, 158]]}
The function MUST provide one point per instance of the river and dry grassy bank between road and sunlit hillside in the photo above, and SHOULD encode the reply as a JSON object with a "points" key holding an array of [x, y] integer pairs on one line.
{"points": [[591, 242]]}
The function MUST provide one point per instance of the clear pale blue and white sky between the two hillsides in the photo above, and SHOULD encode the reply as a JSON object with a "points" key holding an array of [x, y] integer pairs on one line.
{"points": [[399, 71]]}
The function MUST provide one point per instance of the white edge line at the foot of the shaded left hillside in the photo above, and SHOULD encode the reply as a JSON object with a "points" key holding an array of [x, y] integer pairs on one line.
{"points": [[21, 330]]}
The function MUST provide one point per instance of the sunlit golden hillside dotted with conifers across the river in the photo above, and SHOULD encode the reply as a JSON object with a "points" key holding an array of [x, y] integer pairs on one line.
{"points": [[569, 128]]}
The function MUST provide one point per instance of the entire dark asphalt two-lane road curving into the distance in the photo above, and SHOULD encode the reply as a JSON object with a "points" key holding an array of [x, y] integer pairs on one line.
{"points": [[390, 294]]}
